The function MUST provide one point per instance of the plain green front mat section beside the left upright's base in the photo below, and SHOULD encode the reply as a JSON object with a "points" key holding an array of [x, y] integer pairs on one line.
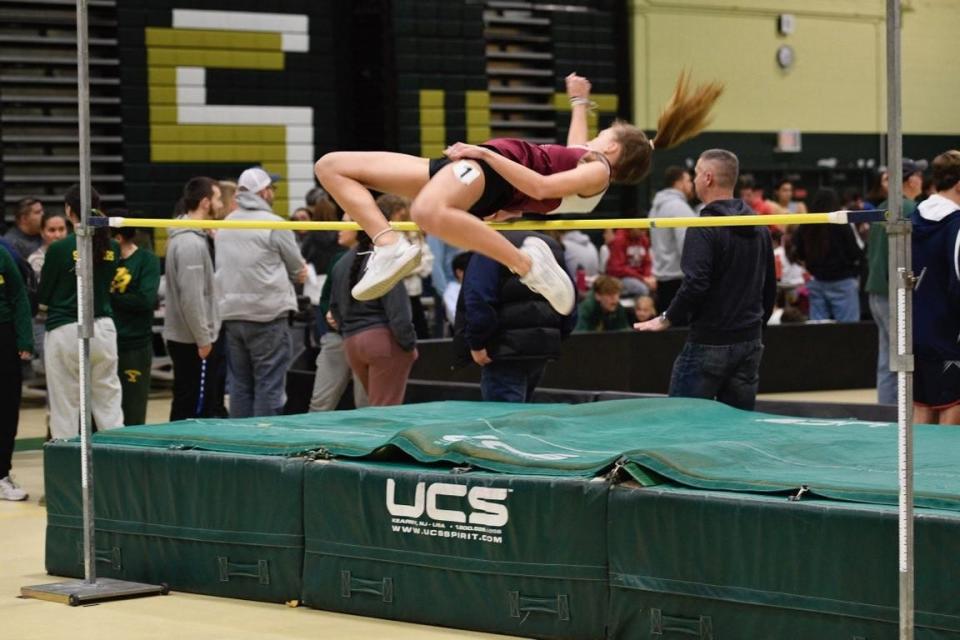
{"points": [[225, 525]]}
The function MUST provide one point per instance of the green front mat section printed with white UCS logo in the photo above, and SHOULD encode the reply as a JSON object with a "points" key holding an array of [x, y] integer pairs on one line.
{"points": [[523, 555]]}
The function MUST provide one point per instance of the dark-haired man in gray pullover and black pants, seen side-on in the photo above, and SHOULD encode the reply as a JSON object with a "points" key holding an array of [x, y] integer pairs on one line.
{"points": [[191, 318]]}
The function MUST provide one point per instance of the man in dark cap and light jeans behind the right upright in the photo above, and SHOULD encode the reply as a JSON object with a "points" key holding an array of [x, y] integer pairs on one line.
{"points": [[876, 286]]}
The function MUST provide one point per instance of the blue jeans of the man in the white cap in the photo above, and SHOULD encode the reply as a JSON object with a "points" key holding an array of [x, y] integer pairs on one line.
{"points": [[258, 358]]}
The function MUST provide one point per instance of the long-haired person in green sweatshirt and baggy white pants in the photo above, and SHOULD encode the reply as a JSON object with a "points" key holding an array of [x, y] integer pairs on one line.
{"points": [[58, 296]]}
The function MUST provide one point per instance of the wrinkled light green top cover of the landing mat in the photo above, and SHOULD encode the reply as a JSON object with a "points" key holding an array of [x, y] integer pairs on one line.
{"points": [[696, 443]]}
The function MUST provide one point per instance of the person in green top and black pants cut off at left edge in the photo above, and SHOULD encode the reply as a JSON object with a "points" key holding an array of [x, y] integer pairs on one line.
{"points": [[16, 345]]}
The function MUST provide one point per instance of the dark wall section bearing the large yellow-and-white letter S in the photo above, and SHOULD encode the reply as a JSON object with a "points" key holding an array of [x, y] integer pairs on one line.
{"points": [[210, 88]]}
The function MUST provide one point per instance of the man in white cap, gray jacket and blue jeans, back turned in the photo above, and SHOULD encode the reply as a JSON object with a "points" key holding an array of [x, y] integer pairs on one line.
{"points": [[255, 270]]}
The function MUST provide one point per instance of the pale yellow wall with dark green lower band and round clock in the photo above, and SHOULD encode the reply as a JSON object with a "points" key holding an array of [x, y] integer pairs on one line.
{"points": [[834, 93]]}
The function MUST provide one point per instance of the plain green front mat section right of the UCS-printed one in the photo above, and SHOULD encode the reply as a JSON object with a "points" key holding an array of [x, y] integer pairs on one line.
{"points": [[687, 563]]}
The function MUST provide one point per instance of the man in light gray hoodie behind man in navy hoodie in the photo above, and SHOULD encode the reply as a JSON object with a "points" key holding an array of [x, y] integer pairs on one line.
{"points": [[667, 244]]}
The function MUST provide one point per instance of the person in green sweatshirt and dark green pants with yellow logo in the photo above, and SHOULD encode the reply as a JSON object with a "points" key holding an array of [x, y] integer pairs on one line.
{"points": [[133, 295]]}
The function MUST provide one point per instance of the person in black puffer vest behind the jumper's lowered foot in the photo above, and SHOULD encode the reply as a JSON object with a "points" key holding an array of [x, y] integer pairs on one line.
{"points": [[510, 331]]}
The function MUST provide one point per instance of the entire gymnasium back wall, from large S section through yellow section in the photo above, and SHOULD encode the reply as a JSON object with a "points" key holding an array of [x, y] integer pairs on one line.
{"points": [[211, 87]]}
